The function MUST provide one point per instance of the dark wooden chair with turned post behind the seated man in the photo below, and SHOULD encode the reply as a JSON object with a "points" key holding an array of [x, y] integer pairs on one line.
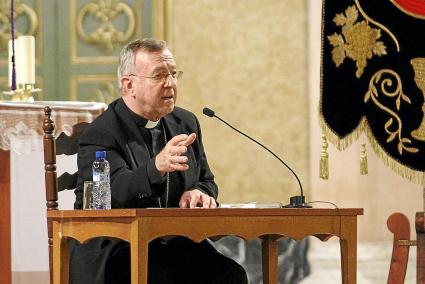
{"points": [[64, 144]]}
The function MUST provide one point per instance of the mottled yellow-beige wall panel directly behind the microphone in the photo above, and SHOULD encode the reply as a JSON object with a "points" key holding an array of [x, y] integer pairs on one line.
{"points": [[247, 61]]}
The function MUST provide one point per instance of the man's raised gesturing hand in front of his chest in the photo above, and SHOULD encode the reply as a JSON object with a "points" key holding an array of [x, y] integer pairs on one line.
{"points": [[172, 157]]}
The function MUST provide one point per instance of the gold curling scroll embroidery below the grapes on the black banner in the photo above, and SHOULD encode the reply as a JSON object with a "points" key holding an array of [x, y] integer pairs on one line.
{"points": [[397, 93]]}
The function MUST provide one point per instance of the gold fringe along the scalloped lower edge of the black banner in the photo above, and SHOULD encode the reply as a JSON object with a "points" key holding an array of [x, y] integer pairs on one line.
{"points": [[340, 143]]}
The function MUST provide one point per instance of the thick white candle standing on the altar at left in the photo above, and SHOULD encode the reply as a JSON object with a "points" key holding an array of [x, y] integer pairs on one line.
{"points": [[25, 60]]}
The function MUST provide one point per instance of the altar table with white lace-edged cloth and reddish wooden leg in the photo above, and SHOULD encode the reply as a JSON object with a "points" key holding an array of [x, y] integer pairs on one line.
{"points": [[22, 121]]}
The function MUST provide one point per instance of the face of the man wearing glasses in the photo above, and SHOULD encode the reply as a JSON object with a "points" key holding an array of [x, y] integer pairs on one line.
{"points": [[154, 97]]}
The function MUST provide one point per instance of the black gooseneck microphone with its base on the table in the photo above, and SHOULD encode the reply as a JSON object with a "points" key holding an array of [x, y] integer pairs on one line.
{"points": [[294, 201]]}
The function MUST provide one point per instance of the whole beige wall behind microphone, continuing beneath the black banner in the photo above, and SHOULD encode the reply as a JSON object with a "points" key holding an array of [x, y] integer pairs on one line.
{"points": [[257, 65]]}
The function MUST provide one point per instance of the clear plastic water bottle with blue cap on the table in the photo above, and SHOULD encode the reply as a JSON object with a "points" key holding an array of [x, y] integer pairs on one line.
{"points": [[101, 187]]}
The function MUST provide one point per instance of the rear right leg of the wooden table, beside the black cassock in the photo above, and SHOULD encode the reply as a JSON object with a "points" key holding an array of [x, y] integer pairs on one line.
{"points": [[269, 259]]}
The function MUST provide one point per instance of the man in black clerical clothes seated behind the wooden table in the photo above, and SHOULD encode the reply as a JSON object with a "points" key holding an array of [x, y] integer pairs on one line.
{"points": [[157, 159]]}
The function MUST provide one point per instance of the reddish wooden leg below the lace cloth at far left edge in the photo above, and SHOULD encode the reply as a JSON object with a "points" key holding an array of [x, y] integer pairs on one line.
{"points": [[5, 238]]}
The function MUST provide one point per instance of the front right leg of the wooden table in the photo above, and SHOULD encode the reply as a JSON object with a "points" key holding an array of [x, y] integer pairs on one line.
{"points": [[348, 244]]}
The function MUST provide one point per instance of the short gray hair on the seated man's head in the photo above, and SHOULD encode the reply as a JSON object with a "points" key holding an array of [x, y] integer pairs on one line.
{"points": [[127, 58]]}
